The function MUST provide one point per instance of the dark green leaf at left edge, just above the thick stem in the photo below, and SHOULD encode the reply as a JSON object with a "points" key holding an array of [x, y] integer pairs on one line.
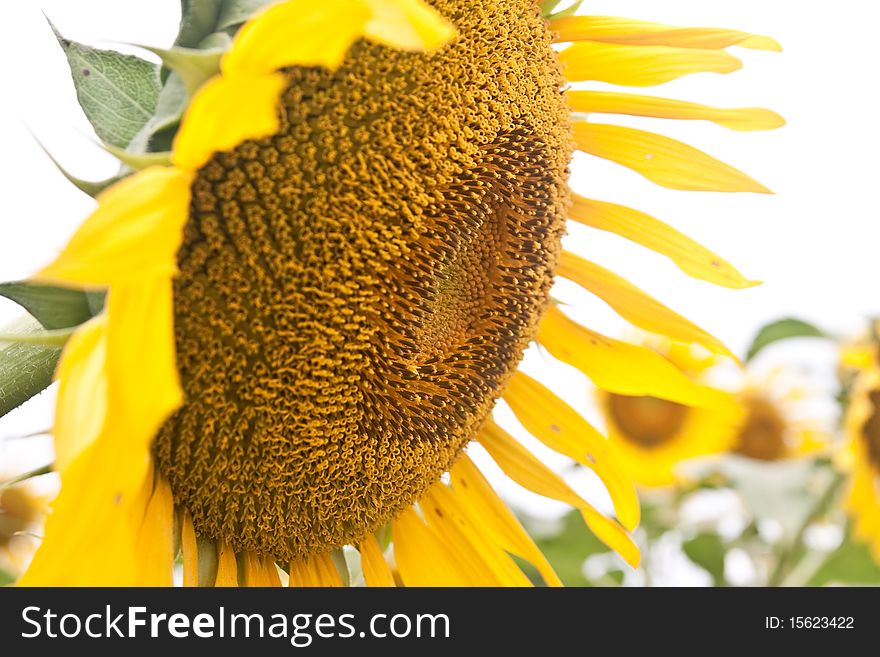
{"points": [[53, 307]]}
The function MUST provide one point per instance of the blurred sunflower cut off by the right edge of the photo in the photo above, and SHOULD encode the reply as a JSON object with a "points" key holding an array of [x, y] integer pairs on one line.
{"points": [[862, 455]]}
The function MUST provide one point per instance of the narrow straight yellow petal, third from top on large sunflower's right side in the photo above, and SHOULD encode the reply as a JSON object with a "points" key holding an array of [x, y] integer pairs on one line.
{"points": [[743, 119]]}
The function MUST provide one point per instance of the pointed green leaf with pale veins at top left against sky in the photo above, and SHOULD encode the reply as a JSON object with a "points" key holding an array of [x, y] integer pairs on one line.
{"points": [[117, 92]]}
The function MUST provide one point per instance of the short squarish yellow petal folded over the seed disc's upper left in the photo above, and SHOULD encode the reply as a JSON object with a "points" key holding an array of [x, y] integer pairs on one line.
{"points": [[217, 120]]}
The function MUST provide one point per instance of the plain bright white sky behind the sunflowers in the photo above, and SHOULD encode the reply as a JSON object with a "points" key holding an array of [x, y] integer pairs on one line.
{"points": [[815, 244]]}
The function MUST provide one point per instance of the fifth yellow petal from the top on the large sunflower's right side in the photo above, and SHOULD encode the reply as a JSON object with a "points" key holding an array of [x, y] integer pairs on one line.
{"points": [[692, 258]]}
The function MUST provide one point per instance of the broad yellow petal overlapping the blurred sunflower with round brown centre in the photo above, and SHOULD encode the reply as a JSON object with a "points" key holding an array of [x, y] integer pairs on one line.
{"points": [[619, 367]]}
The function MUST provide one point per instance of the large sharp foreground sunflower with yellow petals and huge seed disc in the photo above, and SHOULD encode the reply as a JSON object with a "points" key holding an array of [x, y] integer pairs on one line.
{"points": [[315, 305]]}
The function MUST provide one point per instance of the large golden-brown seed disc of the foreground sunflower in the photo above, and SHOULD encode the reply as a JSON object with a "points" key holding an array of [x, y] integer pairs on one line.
{"points": [[355, 292]]}
